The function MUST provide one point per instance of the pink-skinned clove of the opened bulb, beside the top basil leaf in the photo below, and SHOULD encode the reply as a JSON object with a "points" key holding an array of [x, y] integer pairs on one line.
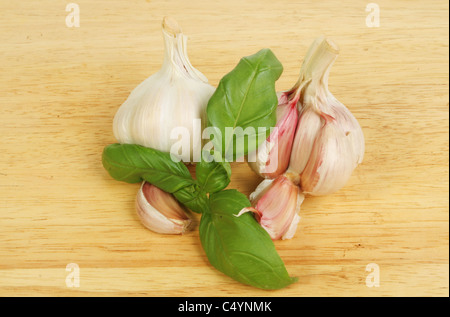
{"points": [[271, 159]]}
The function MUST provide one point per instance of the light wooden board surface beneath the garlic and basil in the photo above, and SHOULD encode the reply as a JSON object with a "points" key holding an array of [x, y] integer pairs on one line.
{"points": [[60, 88]]}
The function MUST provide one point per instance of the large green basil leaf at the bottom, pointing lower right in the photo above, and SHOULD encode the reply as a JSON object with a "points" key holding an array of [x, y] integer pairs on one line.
{"points": [[239, 246]]}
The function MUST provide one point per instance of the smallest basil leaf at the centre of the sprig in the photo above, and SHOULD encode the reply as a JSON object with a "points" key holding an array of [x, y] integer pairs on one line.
{"points": [[213, 176]]}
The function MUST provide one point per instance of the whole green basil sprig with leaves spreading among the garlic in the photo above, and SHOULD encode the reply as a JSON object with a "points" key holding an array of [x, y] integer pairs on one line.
{"points": [[236, 246]]}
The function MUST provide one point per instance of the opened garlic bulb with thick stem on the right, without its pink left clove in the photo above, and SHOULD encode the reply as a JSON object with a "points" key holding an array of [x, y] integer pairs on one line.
{"points": [[329, 142]]}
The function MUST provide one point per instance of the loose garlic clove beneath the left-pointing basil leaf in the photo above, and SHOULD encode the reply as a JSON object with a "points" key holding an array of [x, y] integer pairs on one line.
{"points": [[160, 211]]}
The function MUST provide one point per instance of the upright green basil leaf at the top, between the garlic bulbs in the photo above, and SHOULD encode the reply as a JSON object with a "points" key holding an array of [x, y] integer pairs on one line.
{"points": [[245, 98]]}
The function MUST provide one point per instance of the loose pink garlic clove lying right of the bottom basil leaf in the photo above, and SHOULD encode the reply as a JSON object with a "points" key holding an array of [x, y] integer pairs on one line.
{"points": [[276, 205]]}
